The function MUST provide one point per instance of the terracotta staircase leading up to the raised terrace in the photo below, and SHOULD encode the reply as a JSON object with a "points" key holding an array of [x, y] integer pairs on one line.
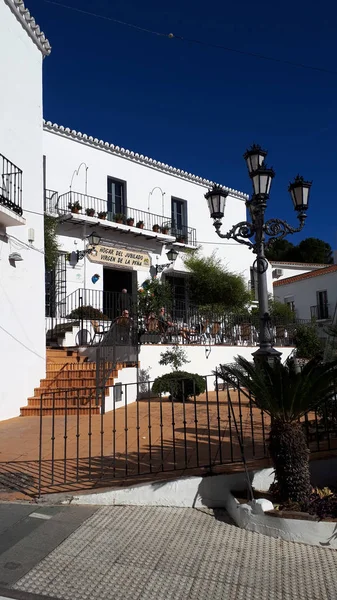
{"points": [[69, 386]]}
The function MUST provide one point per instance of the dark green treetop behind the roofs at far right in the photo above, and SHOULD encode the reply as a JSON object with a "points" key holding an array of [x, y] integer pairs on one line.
{"points": [[310, 250]]}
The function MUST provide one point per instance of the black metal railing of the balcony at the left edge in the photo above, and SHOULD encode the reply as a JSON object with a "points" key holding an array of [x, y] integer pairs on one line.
{"points": [[10, 185]]}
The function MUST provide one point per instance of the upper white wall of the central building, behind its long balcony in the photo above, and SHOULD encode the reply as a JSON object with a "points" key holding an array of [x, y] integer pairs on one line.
{"points": [[64, 155]]}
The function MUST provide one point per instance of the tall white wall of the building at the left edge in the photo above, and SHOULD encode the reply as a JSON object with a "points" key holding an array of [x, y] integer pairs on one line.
{"points": [[22, 336]]}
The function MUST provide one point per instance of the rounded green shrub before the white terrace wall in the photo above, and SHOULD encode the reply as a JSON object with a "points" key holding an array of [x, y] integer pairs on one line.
{"points": [[180, 384]]}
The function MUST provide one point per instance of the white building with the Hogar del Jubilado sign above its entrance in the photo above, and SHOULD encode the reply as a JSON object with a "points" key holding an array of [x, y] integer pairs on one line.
{"points": [[109, 179]]}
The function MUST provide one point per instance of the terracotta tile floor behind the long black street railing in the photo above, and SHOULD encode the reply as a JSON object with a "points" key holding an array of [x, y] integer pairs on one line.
{"points": [[144, 440]]}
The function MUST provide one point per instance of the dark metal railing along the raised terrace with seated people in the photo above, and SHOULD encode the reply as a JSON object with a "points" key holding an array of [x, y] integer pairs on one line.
{"points": [[182, 323]]}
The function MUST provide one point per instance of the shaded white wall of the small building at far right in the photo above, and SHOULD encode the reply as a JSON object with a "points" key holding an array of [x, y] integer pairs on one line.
{"points": [[304, 292]]}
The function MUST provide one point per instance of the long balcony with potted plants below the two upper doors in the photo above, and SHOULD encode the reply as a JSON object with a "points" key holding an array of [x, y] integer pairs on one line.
{"points": [[82, 204]]}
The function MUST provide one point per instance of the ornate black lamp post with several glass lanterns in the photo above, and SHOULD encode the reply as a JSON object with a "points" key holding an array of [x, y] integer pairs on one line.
{"points": [[253, 233]]}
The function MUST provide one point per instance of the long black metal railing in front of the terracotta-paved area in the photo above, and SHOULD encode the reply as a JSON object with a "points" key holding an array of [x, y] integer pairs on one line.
{"points": [[141, 435]]}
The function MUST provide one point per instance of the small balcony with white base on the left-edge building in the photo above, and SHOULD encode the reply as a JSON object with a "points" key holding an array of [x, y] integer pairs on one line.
{"points": [[10, 193]]}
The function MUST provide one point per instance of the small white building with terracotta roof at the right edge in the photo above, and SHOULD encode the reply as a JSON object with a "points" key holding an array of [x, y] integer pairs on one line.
{"points": [[312, 294]]}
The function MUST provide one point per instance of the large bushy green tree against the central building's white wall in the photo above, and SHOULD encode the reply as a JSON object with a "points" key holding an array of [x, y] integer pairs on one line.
{"points": [[212, 285]]}
